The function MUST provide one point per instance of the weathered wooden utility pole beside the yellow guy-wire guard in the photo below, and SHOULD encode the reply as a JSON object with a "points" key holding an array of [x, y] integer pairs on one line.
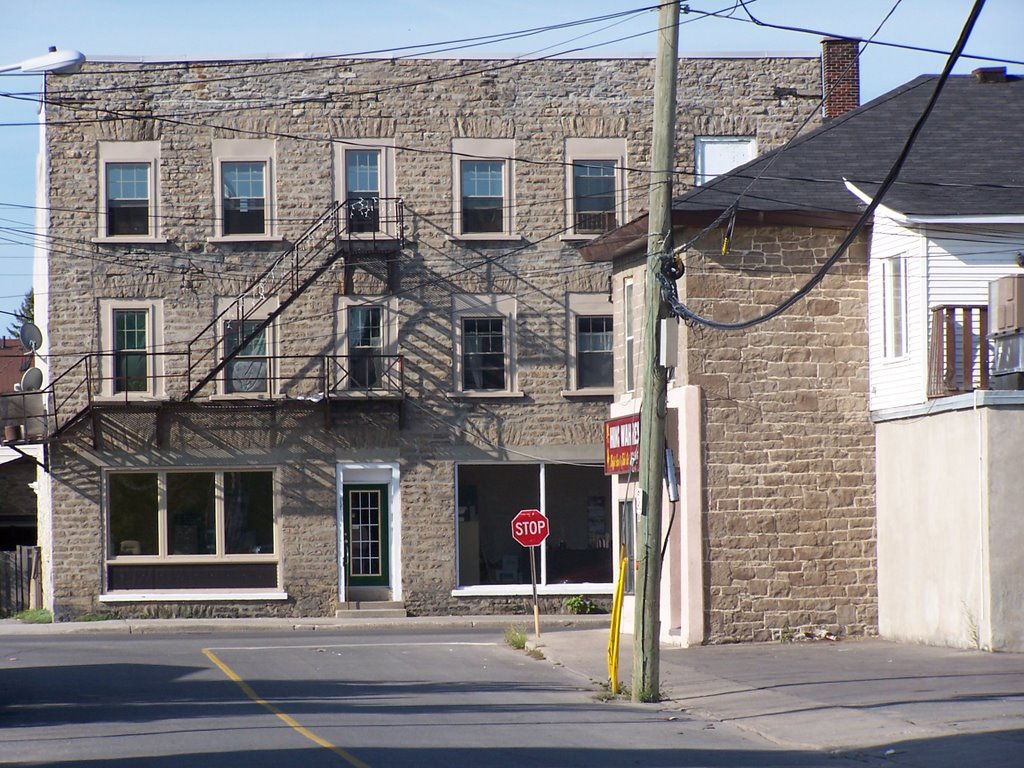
{"points": [[647, 654]]}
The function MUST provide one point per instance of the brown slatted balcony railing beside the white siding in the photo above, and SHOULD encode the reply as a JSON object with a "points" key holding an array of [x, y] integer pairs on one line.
{"points": [[959, 352]]}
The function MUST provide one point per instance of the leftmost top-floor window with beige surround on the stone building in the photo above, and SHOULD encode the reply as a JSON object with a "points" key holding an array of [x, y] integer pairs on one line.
{"points": [[129, 190]]}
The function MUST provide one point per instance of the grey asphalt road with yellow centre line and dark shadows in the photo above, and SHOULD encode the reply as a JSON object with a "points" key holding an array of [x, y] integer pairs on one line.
{"points": [[376, 699]]}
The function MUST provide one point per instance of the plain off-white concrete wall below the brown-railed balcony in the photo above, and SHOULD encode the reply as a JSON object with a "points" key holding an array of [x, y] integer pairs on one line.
{"points": [[951, 544]]}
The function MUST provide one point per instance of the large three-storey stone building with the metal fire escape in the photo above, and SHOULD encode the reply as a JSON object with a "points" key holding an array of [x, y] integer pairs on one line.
{"points": [[317, 330]]}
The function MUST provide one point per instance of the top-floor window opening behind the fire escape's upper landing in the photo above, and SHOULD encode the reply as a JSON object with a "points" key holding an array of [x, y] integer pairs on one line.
{"points": [[365, 185]]}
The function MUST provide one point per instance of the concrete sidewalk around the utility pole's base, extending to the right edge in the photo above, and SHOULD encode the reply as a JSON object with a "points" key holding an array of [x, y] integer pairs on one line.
{"points": [[909, 705]]}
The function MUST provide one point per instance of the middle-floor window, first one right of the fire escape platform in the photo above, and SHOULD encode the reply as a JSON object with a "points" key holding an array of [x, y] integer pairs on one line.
{"points": [[485, 344]]}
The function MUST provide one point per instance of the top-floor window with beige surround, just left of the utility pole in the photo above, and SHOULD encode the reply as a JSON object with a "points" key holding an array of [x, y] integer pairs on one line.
{"points": [[596, 184]]}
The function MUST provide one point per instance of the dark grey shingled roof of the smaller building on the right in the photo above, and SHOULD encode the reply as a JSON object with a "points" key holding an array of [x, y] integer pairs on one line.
{"points": [[968, 161]]}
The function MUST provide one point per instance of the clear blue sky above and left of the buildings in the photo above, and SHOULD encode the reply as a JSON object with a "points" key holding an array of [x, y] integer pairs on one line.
{"points": [[237, 28]]}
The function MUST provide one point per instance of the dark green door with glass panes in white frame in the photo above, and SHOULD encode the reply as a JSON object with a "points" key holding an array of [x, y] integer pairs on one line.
{"points": [[366, 536]]}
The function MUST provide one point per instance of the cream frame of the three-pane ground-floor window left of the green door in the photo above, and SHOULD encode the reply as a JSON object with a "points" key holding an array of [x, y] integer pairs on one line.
{"points": [[163, 557]]}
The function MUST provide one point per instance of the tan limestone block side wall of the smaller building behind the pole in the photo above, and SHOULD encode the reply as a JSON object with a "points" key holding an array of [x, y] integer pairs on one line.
{"points": [[789, 443]]}
